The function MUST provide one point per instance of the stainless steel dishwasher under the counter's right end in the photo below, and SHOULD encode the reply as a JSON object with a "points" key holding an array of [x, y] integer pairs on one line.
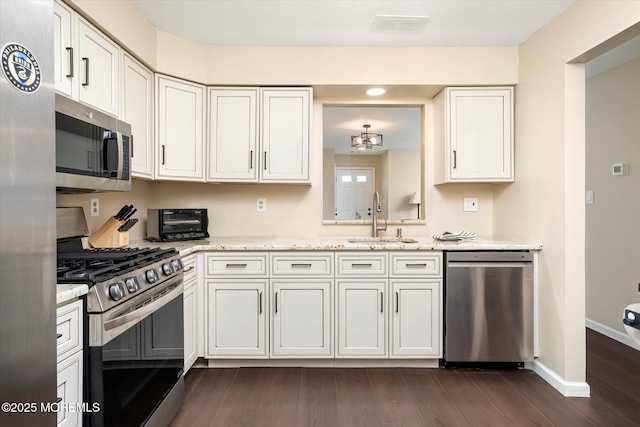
{"points": [[489, 307]]}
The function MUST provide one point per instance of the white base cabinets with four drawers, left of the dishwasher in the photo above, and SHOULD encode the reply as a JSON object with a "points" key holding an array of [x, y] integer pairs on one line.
{"points": [[291, 305]]}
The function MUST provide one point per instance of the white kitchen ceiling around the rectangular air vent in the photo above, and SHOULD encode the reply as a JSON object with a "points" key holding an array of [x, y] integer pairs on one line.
{"points": [[348, 22]]}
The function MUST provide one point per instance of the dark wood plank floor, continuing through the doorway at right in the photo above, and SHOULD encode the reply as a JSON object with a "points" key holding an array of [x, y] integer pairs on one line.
{"points": [[414, 397]]}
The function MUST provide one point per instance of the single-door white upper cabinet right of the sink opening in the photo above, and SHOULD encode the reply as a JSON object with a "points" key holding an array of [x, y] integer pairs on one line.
{"points": [[473, 135]]}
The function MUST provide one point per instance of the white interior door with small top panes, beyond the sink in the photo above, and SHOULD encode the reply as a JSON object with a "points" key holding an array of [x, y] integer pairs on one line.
{"points": [[354, 187]]}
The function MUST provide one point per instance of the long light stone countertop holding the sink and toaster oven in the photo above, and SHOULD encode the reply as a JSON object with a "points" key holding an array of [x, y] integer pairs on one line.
{"points": [[333, 243]]}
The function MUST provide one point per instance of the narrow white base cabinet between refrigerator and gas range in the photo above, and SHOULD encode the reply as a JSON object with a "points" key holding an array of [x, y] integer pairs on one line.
{"points": [[69, 358]]}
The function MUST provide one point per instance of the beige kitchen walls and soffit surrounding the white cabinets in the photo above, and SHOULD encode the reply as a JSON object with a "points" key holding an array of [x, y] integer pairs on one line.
{"points": [[545, 204]]}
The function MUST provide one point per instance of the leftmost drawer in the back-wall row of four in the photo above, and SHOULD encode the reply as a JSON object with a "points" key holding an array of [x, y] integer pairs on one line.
{"points": [[246, 264]]}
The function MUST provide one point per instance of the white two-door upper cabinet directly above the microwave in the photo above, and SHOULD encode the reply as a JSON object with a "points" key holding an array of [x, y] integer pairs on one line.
{"points": [[86, 61]]}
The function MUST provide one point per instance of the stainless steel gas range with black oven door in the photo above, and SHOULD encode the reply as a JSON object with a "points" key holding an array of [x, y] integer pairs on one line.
{"points": [[134, 331]]}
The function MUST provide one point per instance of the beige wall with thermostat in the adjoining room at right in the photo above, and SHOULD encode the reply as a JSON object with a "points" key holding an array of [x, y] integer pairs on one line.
{"points": [[613, 220]]}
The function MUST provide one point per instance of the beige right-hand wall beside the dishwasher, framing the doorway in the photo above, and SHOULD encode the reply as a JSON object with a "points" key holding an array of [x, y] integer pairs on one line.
{"points": [[546, 203]]}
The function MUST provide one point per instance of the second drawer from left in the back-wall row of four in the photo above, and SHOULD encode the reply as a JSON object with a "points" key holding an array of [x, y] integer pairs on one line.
{"points": [[302, 264]]}
